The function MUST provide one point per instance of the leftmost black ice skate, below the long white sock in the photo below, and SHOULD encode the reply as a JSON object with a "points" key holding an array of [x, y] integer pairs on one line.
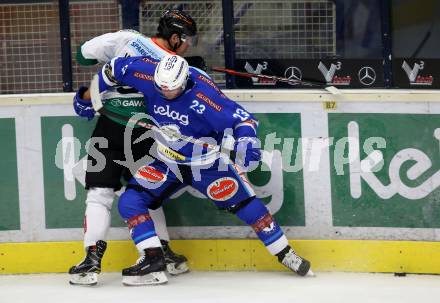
{"points": [[86, 272]]}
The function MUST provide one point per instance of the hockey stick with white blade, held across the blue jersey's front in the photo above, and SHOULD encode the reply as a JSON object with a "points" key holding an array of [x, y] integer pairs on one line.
{"points": [[99, 107]]}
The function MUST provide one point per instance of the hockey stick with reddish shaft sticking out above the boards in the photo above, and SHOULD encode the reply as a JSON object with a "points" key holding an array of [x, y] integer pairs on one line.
{"points": [[333, 90]]}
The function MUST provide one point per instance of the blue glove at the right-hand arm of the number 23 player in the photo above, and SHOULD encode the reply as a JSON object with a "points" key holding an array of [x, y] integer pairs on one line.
{"points": [[247, 150]]}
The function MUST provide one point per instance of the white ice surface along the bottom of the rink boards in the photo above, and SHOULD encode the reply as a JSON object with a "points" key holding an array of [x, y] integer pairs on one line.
{"points": [[227, 287]]}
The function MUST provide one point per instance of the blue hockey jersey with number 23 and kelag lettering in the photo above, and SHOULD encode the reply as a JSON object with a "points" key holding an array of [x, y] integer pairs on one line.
{"points": [[201, 112]]}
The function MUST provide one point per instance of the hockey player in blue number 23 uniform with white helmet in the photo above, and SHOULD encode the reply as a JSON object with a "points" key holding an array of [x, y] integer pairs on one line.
{"points": [[185, 102]]}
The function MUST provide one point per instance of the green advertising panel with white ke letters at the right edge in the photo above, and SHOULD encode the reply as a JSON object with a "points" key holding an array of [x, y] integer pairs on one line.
{"points": [[385, 170]]}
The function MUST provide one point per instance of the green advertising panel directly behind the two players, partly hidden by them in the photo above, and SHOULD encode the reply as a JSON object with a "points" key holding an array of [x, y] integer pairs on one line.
{"points": [[65, 206]]}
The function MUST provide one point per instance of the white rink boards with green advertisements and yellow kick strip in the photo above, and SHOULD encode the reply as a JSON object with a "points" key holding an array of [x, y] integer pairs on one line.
{"points": [[353, 178]]}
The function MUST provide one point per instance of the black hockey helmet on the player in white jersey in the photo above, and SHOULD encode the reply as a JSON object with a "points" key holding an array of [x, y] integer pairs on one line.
{"points": [[177, 22]]}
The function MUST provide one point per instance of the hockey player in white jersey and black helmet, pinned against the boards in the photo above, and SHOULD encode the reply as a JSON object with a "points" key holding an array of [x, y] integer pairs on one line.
{"points": [[176, 33]]}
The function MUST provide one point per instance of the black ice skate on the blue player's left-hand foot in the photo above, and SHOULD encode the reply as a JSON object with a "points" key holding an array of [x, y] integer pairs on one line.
{"points": [[148, 270]]}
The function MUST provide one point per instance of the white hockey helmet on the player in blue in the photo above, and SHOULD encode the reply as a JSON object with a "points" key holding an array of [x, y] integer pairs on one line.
{"points": [[171, 76]]}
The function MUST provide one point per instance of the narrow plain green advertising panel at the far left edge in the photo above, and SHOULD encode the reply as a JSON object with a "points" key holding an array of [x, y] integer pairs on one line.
{"points": [[9, 197]]}
